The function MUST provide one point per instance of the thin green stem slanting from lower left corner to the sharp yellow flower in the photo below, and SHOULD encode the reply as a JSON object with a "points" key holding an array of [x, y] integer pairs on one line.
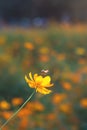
{"points": [[17, 110]]}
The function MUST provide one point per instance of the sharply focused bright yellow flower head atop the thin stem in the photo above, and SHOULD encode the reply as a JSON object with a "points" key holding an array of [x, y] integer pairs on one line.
{"points": [[40, 83]]}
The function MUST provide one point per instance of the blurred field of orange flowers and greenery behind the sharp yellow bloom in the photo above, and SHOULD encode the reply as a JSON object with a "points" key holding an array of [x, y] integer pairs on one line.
{"points": [[63, 51]]}
